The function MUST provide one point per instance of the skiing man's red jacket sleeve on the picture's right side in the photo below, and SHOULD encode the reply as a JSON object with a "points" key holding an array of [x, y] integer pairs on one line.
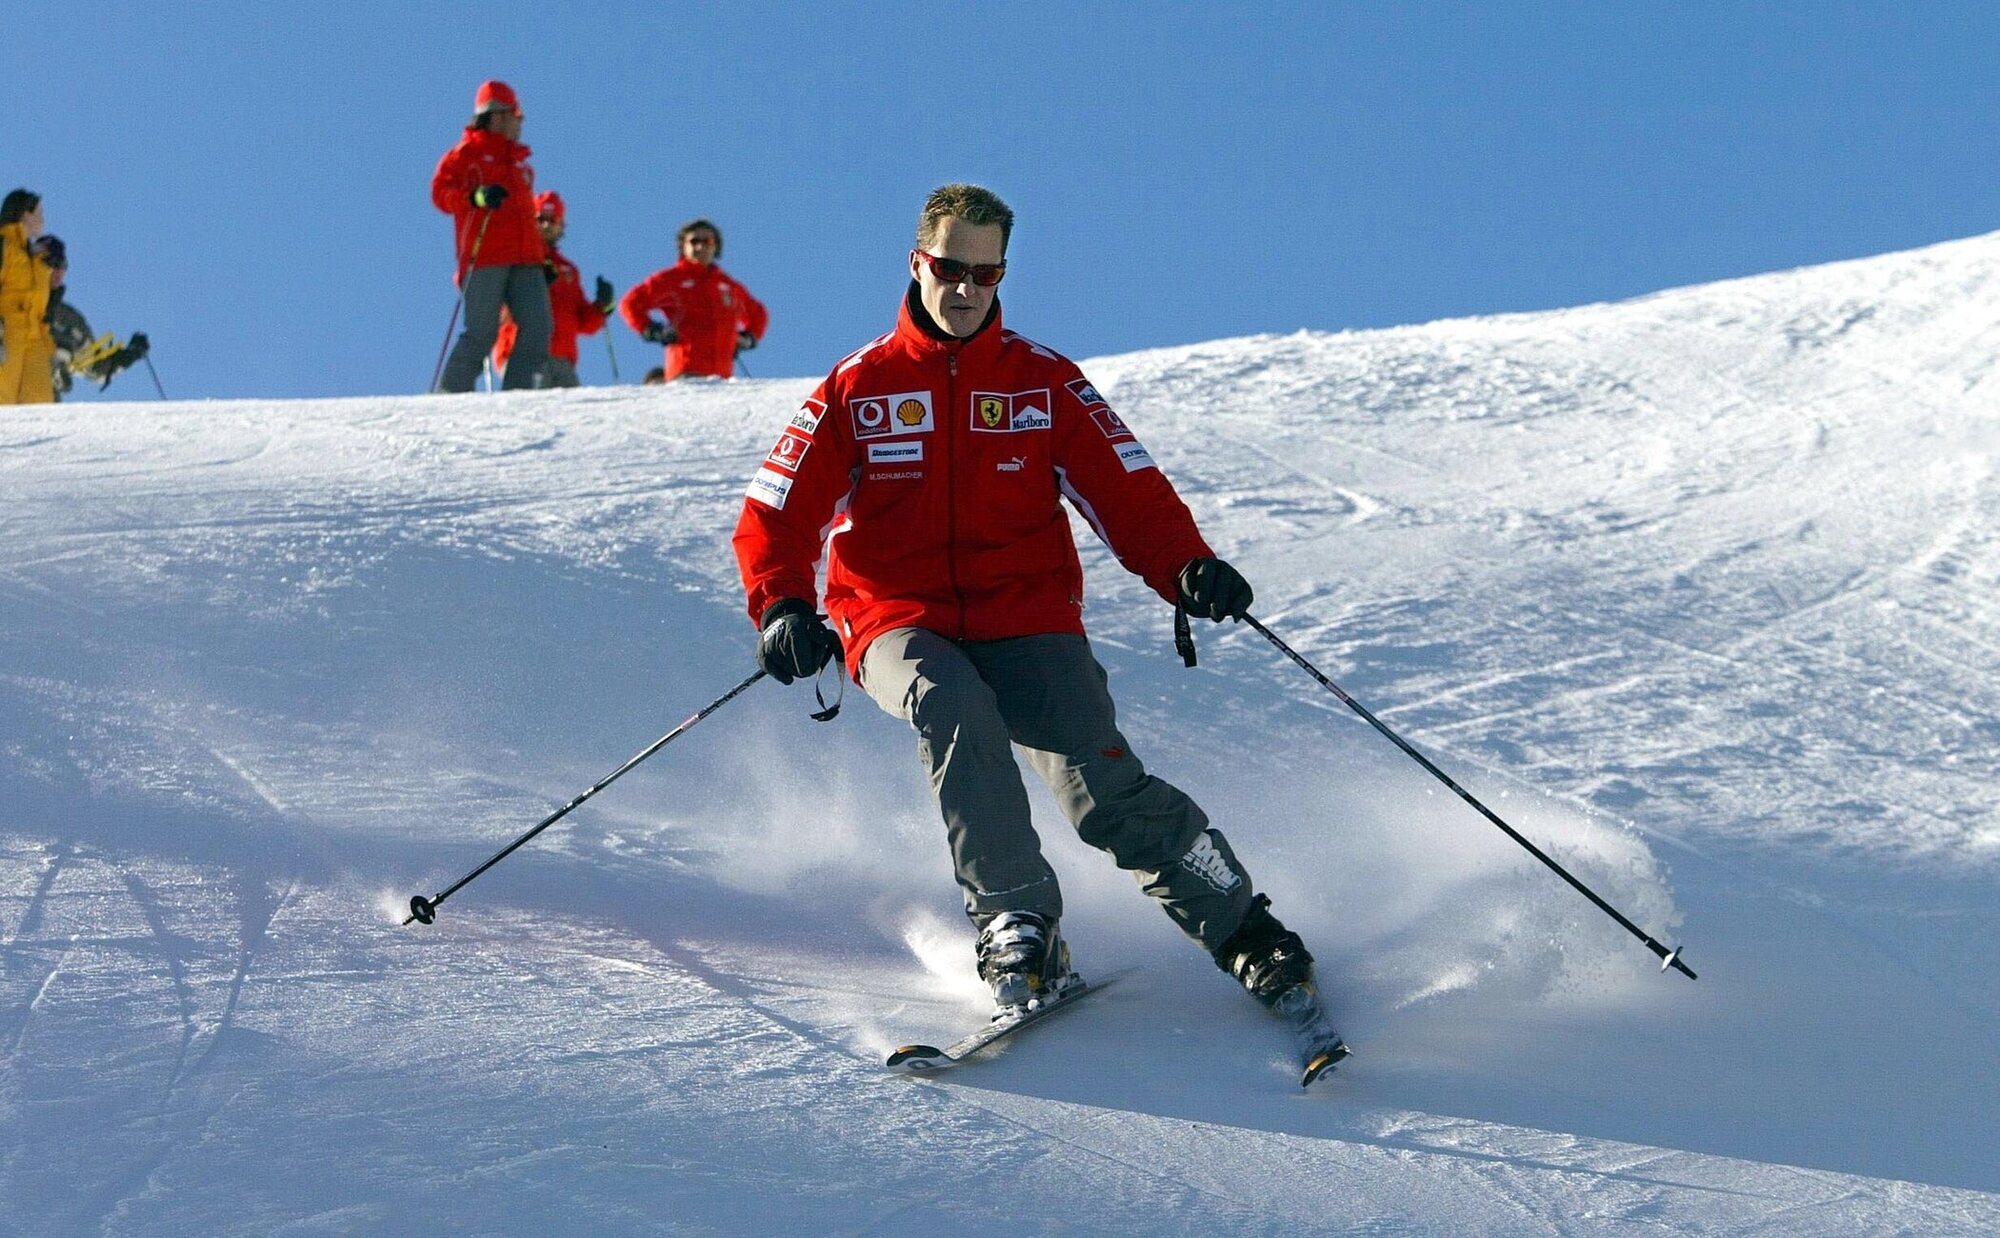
{"points": [[1113, 481]]}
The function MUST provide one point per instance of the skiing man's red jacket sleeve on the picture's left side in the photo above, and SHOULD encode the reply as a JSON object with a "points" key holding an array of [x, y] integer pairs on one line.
{"points": [[793, 503]]}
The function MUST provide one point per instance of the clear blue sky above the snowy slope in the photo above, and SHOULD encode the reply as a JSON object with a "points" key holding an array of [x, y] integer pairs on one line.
{"points": [[251, 183]]}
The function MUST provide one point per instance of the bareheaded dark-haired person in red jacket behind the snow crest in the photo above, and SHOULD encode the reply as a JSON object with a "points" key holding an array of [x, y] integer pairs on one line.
{"points": [[709, 317]]}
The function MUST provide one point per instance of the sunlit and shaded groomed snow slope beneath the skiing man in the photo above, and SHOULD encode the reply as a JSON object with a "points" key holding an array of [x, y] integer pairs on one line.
{"points": [[1697, 591]]}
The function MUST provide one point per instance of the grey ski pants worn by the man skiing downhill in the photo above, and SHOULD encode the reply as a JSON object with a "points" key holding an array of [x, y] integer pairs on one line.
{"points": [[973, 703]]}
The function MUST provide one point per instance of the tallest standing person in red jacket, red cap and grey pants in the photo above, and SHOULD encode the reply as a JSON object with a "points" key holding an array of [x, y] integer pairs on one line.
{"points": [[487, 187]]}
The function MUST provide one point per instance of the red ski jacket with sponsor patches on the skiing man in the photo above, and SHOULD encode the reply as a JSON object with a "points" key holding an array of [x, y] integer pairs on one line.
{"points": [[933, 471]]}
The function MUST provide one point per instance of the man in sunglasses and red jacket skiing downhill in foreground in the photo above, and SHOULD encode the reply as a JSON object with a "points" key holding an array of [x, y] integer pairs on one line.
{"points": [[931, 469]]}
